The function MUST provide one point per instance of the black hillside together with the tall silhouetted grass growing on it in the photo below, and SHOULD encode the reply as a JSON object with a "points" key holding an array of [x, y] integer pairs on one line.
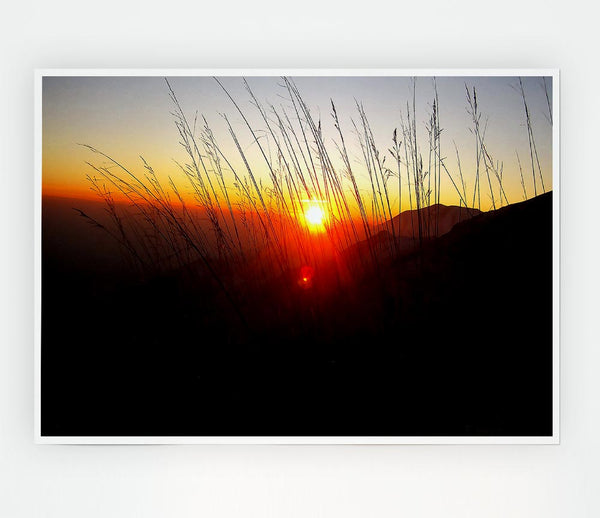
{"points": [[233, 315]]}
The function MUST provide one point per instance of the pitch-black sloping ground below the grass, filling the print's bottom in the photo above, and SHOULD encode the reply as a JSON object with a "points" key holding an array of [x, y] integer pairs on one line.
{"points": [[452, 340]]}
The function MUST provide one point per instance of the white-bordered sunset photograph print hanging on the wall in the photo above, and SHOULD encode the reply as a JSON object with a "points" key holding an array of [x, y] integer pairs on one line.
{"points": [[297, 256]]}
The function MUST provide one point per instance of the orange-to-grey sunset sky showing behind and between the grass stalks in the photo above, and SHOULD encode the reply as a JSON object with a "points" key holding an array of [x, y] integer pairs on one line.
{"points": [[130, 116]]}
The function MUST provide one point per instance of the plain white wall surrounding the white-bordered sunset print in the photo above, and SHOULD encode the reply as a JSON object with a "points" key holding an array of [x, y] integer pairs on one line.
{"points": [[414, 481]]}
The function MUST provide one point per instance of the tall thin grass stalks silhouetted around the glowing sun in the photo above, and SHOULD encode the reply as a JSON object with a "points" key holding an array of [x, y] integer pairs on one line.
{"points": [[245, 235]]}
